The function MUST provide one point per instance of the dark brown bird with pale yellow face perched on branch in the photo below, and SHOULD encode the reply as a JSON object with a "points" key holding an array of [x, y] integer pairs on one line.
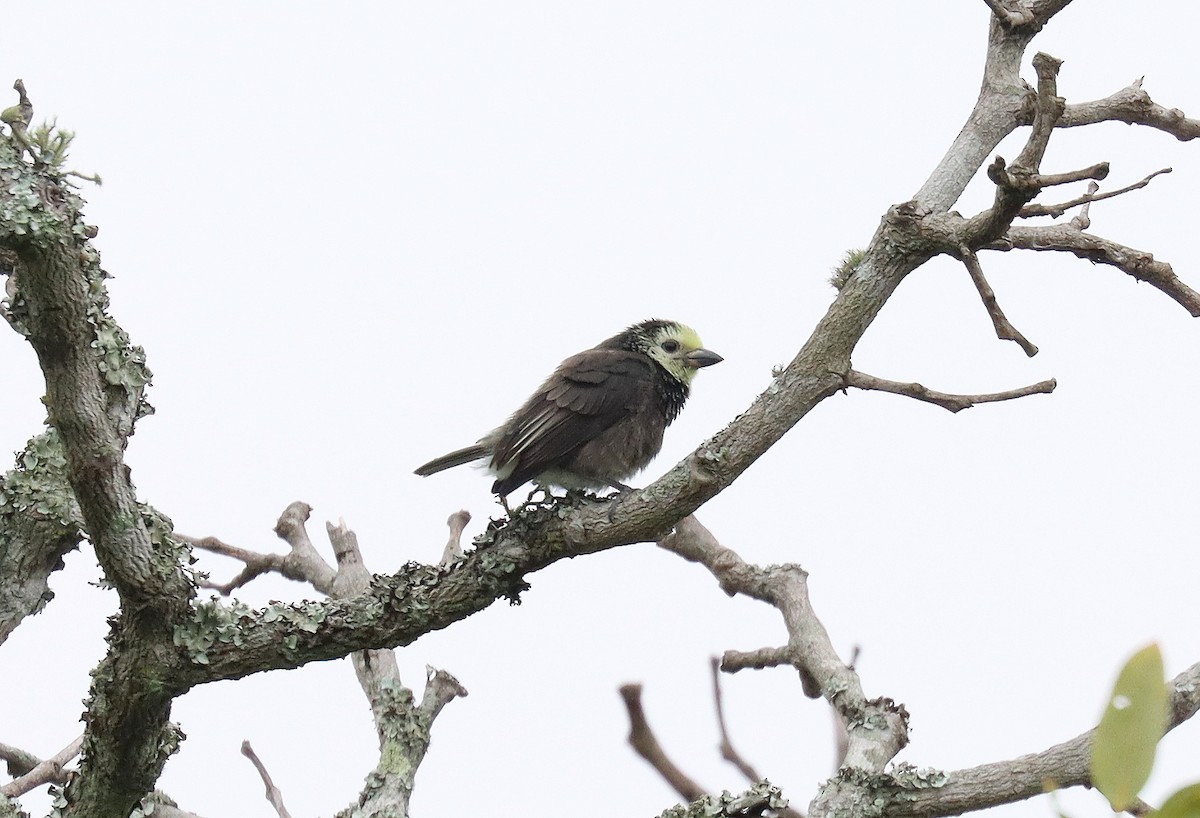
{"points": [[599, 419]]}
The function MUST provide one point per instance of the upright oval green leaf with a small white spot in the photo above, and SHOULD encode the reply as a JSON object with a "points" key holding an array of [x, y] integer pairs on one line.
{"points": [[1135, 721]]}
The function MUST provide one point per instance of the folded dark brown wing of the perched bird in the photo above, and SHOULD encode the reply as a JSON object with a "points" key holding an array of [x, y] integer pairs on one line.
{"points": [[586, 395]]}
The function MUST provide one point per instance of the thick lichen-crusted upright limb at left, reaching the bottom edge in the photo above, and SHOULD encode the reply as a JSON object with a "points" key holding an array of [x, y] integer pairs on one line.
{"points": [[94, 384]]}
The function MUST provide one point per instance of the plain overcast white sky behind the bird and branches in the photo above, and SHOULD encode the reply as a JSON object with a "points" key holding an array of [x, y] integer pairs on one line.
{"points": [[353, 237]]}
